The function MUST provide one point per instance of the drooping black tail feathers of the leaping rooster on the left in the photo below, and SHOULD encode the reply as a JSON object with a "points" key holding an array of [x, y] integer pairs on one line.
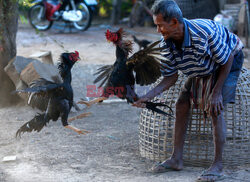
{"points": [[35, 124]]}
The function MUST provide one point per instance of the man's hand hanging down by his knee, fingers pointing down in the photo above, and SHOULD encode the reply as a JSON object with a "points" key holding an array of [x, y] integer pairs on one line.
{"points": [[215, 104]]}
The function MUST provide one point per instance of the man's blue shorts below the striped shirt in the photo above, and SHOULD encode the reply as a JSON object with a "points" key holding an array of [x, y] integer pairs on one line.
{"points": [[230, 84]]}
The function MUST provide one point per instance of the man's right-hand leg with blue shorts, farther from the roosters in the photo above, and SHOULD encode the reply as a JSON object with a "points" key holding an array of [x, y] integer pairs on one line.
{"points": [[219, 125]]}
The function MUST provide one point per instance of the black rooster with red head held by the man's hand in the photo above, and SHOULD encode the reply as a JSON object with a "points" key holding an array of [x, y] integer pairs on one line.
{"points": [[119, 78]]}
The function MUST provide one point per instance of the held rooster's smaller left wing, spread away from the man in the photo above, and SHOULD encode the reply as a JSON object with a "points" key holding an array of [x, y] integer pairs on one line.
{"points": [[104, 74]]}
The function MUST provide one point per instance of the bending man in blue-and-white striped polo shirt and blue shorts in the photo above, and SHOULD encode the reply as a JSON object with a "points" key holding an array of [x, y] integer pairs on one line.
{"points": [[202, 50]]}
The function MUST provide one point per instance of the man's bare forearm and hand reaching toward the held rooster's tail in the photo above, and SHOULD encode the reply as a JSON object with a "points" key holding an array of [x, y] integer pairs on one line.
{"points": [[165, 84]]}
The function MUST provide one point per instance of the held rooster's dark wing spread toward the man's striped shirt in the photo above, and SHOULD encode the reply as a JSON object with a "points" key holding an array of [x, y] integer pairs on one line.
{"points": [[146, 64]]}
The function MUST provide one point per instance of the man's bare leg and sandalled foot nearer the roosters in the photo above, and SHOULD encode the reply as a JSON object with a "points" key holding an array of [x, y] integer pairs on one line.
{"points": [[182, 117]]}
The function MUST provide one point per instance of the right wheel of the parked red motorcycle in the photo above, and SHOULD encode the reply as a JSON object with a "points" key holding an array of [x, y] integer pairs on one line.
{"points": [[85, 22]]}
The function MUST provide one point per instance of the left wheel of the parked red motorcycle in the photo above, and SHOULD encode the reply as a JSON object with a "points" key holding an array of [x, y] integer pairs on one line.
{"points": [[38, 19]]}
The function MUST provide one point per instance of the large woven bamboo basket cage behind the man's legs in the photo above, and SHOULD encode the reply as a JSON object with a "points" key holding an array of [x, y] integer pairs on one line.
{"points": [[156, 130]]}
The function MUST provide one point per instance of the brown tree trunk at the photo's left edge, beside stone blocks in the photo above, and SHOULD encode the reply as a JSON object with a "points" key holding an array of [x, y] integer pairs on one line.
{"points": [[8, 30]]}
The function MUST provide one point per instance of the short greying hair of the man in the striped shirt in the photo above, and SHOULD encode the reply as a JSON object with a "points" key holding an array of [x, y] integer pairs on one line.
{"points": [[168, 8]]}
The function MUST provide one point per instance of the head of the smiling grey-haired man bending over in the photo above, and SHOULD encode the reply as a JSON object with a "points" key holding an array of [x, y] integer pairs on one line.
{"points": [[167, 16]]}
